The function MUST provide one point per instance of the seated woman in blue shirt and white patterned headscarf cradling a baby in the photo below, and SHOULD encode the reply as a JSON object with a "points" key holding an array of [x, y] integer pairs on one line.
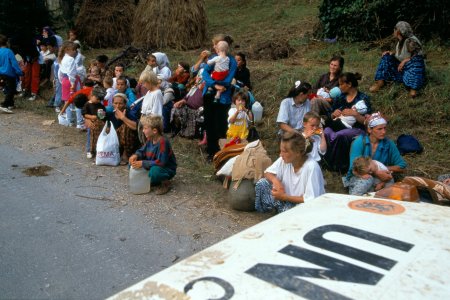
{"points": [[378, 147]]}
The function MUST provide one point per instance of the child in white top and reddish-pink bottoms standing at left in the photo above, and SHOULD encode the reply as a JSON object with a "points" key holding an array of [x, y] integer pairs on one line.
{"points": [[69, 79]]}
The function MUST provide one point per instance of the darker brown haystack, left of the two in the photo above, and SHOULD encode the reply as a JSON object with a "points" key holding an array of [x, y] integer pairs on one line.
{"points": [[102, 24]]}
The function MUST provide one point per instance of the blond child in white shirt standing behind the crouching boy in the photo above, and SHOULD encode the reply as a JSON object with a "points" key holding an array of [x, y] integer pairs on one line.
{"points": [[153, 100]]}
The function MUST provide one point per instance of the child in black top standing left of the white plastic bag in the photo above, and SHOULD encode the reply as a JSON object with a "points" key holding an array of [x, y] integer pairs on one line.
{"points": [[93, 114]]}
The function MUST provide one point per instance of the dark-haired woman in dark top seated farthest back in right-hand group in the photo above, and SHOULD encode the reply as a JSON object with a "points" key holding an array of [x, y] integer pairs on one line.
{"points": [[322, 105]]}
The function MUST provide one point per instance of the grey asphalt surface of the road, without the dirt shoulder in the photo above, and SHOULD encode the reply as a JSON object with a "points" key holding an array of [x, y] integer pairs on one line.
{"points": [[57, 244]]}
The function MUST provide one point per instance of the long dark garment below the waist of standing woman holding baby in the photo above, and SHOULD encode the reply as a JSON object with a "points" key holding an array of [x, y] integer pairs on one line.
{"points": [[216, 122]]}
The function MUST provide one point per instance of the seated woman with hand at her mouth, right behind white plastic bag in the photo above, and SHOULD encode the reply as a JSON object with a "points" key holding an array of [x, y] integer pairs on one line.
{"points": [[125, 122]]}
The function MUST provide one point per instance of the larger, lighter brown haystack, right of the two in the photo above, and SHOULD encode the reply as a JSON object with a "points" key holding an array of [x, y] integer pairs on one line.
{"points": [[179, 24]]}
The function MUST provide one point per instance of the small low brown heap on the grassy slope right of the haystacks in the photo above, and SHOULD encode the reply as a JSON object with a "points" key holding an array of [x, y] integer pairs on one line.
{"points": [[272, 49]]}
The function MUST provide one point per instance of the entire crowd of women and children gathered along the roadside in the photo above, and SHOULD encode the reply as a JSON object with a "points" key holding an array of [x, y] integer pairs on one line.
{"points": [[329, 125]]}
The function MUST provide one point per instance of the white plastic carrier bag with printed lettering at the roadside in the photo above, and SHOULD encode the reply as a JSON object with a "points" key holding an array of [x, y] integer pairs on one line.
{"points": [[108, 148]]}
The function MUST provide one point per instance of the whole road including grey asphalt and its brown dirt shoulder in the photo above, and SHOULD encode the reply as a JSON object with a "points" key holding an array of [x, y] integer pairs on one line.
{"points": [[77, 233]]}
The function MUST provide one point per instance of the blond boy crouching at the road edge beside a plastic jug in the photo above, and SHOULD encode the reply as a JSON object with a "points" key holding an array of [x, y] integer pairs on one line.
{"points": [[156, 155]]}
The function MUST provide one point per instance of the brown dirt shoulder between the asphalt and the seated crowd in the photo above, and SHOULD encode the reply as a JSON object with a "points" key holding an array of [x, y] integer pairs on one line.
{"points": [[200, 210]]}
